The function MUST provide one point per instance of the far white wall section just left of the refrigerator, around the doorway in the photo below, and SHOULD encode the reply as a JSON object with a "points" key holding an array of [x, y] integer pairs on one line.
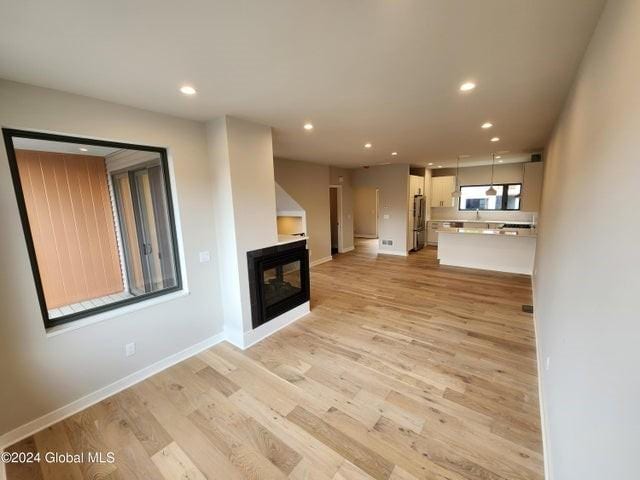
{"points": [[392, 181]]}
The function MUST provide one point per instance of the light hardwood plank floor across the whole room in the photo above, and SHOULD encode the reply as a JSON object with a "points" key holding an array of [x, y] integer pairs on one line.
{"points": [[404, 370]]}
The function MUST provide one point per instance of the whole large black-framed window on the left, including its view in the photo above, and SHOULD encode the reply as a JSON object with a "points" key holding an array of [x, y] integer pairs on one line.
{"points": [[98, 220]]}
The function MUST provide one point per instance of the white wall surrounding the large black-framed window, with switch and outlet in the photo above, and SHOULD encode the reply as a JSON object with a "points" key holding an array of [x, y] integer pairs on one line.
{"points": [[48, 372]]}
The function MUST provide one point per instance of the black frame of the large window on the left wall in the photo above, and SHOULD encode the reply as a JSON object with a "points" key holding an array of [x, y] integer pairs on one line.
{"points": [[9, 134]]}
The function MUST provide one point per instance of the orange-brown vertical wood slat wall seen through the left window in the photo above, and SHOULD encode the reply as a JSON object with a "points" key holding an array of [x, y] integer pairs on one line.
{"points": [[72, 223]]}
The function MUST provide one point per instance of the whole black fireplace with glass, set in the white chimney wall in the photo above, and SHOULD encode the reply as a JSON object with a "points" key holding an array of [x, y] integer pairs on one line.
{"points": [[278, 280]]}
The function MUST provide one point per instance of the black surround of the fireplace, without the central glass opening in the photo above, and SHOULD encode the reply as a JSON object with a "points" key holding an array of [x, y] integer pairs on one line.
{"points": [[265, 258]]}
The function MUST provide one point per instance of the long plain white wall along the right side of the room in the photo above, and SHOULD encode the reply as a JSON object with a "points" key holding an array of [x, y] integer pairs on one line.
{"points": [[587, 282]]}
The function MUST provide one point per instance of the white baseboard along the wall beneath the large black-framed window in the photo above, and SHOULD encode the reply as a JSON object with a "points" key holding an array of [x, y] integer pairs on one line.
{"points": [[74, 407]]}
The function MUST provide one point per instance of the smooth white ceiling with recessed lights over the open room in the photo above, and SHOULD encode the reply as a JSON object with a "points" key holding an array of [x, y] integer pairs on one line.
{"points": [[379, 71]]}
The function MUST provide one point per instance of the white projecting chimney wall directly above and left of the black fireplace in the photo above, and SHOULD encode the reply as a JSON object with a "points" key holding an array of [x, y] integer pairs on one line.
{"points": [[241, 152]]}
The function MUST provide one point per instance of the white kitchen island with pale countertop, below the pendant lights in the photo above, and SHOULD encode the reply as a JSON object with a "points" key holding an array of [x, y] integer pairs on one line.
{"points": [[502, 250]]}
